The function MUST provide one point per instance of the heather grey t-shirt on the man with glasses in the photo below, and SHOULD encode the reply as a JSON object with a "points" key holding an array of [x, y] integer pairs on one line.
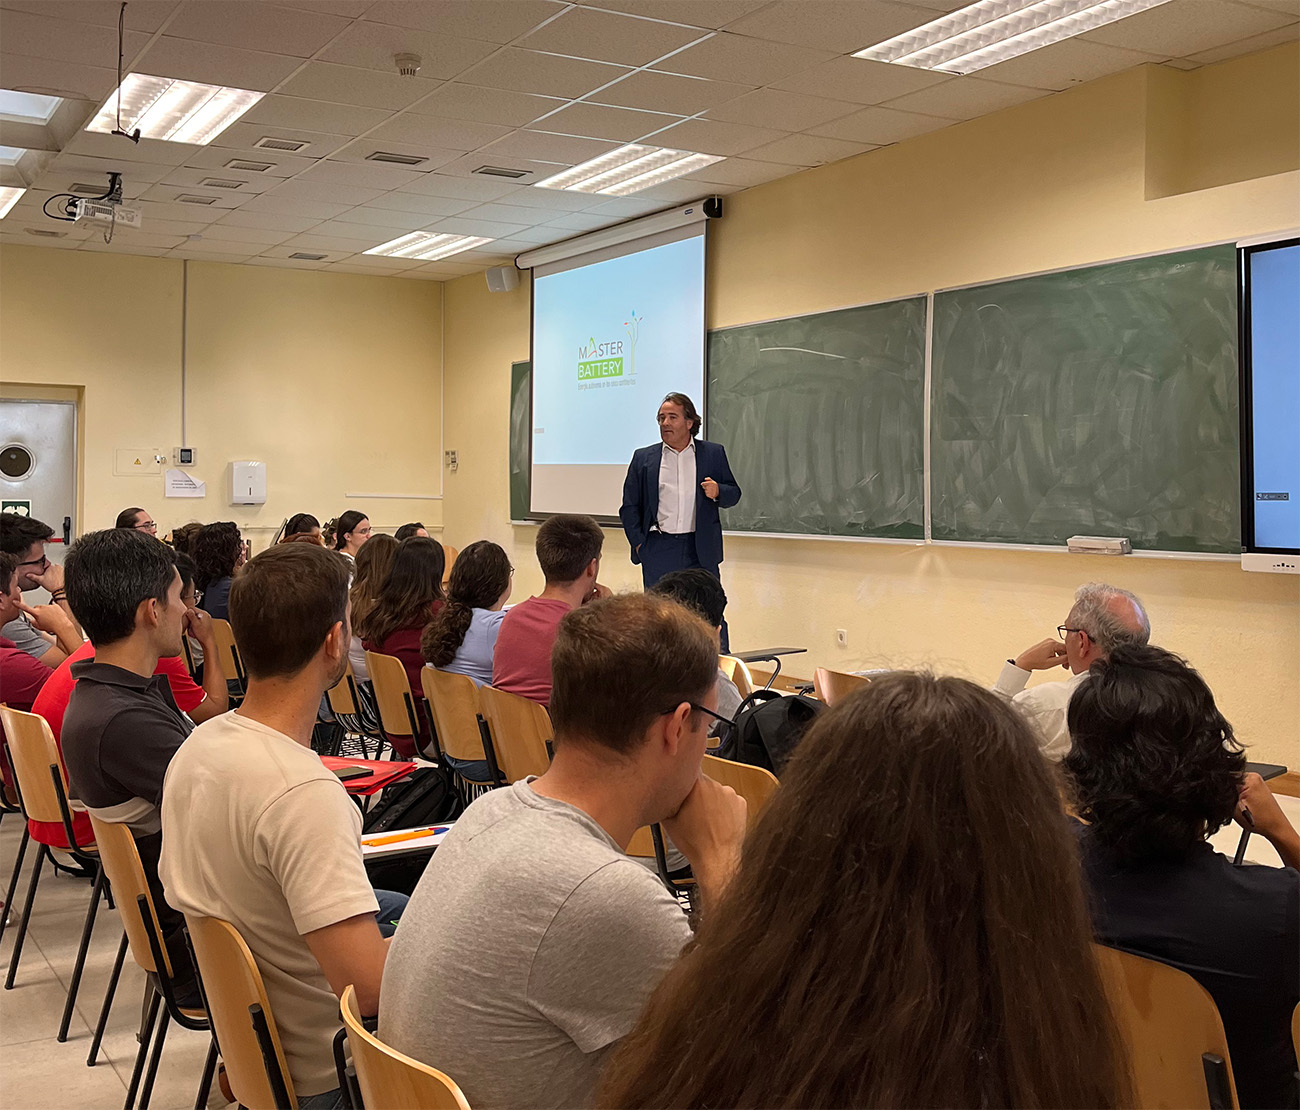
{"points": [[530, 947]]}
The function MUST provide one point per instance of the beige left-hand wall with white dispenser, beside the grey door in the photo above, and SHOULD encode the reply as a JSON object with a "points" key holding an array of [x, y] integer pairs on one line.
{"points": [[332, 380]]}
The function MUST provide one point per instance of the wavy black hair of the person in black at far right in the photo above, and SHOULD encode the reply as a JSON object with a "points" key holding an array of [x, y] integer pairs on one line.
{"points": [[1154, 766]]}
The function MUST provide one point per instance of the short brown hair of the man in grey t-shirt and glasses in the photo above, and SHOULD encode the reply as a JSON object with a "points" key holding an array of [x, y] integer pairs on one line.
{"points": [[623, 662]]}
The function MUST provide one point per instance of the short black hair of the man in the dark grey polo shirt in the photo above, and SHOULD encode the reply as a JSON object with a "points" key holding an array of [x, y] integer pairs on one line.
{"points": [[107, 576]]}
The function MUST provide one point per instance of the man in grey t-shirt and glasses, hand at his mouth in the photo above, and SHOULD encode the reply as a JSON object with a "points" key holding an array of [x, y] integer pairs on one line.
{"points": [[532, 942]]}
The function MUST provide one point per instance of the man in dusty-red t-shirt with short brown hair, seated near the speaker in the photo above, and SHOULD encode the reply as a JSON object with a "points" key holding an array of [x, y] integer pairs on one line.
{"points": [[569, 550]]}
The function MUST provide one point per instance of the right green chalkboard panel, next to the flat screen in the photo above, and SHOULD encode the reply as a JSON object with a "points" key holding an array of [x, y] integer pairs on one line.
{"points": [[1097, 402]]}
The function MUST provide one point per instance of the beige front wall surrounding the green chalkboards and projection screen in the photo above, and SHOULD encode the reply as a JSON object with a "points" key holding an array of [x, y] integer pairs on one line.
{"points": [[1058, 183]]}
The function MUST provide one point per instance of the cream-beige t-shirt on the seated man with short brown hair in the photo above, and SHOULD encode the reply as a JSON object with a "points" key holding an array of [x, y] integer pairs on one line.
{"points": [[257, 832]]}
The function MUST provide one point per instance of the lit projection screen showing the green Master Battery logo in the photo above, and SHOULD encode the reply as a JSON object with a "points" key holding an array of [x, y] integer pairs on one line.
{"points": [[609, 341]]}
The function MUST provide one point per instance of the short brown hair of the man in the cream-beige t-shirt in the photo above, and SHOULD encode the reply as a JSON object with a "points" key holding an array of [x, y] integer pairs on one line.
{"points": [[284, 605]]}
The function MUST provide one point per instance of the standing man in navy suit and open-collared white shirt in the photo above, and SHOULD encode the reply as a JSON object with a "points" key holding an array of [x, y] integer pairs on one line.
{"points": [[673, 495]]}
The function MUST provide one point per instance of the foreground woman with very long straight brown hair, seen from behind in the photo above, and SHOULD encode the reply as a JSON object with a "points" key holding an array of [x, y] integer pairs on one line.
{"points": [[907, 929]]}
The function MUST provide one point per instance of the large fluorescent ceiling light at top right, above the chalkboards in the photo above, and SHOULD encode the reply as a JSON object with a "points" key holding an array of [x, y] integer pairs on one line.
{"points": [[990, 32]]}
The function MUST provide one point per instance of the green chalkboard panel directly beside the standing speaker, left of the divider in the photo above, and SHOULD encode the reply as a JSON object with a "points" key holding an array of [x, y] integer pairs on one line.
{"points": [[824, 420]]}
